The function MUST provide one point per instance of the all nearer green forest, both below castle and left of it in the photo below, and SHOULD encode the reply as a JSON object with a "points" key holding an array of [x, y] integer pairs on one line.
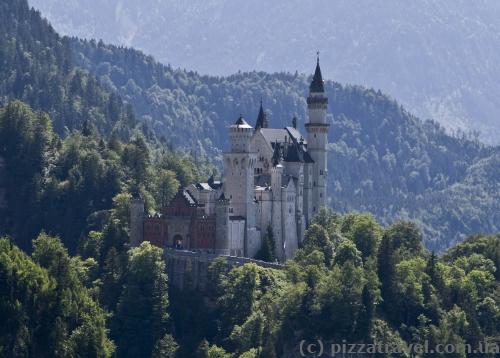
{"points": [[83, 292]]}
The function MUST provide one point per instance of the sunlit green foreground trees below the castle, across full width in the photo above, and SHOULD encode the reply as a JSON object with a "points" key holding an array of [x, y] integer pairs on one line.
{"points": [[351, 282]]}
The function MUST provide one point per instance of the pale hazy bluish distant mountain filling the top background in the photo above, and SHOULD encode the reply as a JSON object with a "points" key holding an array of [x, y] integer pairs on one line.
{"points": [[439, 58]]}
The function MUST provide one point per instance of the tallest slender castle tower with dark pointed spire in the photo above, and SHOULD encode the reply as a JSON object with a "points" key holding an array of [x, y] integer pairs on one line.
{"points": [[317, 138]]}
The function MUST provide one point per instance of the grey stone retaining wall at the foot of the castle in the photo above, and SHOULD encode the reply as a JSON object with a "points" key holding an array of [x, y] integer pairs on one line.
{"points": [[187, 270]]}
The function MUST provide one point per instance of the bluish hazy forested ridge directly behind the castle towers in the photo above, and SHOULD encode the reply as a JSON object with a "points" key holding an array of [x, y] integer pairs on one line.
{"points": [[381, 159]]}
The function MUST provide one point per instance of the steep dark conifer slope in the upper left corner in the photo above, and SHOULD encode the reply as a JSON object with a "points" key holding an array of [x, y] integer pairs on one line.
{"points": [[37, 68]]}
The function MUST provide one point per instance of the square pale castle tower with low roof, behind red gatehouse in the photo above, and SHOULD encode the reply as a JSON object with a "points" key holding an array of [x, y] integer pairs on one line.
{"points": [[239, 165]]}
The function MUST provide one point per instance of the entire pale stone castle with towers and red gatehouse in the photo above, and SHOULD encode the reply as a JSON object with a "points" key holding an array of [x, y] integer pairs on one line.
{"points": [[272, 178]]}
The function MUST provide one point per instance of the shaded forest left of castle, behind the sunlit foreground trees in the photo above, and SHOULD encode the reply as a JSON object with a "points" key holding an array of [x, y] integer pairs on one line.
{"points": [[66, 186]]}
